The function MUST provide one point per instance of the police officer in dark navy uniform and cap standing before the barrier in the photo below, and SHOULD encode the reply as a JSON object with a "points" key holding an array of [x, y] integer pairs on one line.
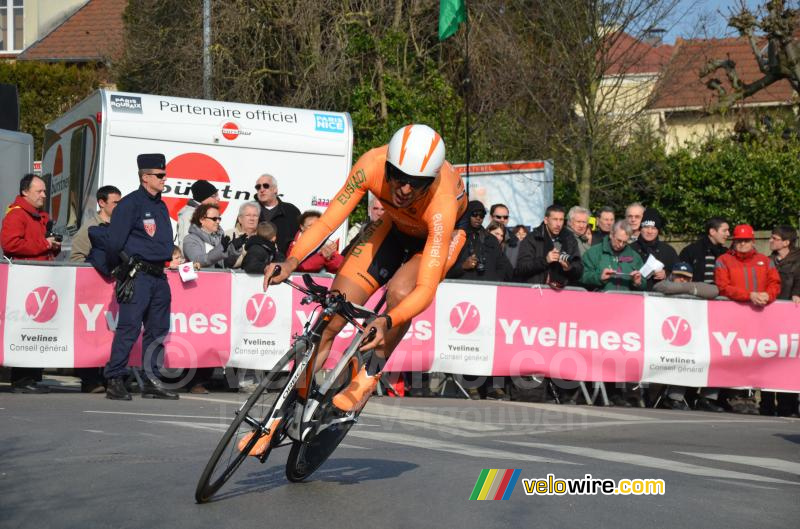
{"points": [[141, 228]]}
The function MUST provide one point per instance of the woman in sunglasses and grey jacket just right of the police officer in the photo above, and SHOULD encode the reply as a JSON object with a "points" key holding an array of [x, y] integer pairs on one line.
{"points": [[205, 243]]}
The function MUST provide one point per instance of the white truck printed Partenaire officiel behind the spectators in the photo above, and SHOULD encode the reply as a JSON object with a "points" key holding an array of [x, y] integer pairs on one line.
{"points": [[96, 143]]}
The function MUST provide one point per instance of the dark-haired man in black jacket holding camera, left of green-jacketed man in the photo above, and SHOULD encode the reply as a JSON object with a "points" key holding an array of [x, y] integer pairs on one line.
{"points": [[549, 254]]}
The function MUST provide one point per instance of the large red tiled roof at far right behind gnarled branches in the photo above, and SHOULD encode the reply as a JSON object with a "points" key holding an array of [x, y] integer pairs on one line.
{"points": [[681, 86]]}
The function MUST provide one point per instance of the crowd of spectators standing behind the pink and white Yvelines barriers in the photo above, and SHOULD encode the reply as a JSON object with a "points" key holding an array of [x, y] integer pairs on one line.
{"points": [[569, 249]]}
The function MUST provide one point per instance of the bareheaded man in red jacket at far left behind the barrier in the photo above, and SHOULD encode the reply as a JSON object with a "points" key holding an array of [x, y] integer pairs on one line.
{"points": [[23, 236]]}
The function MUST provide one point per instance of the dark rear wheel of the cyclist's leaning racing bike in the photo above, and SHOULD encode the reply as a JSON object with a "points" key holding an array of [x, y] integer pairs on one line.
{"points": [[305, 457]]}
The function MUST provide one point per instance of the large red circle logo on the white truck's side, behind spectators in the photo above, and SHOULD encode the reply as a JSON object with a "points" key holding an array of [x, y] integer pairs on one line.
{"points": [[186, 169]]}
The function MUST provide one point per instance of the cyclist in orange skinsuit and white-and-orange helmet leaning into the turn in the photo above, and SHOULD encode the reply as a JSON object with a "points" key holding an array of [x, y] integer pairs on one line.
{"points": [[409, 249]]}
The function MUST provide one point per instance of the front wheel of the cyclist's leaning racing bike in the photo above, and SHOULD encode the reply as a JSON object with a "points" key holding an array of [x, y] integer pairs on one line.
{"points": [[210, 482]]}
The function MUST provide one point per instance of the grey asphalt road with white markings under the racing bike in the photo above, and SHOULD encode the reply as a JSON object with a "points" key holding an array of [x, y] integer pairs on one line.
{"points": [[73, 460]]}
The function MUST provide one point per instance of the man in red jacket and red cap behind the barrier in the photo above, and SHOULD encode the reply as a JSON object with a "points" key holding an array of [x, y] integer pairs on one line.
{"points": [[743, 274]]}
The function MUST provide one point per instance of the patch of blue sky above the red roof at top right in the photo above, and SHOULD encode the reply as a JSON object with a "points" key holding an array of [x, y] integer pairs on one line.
{"points": [[703, 18]]}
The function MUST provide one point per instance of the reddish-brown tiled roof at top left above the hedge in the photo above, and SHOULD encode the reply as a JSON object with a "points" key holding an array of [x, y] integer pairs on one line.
{"points": [[93, 33]]}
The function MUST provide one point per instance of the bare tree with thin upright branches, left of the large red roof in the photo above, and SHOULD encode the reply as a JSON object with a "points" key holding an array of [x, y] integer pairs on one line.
{"points": [[591, 55]]}
